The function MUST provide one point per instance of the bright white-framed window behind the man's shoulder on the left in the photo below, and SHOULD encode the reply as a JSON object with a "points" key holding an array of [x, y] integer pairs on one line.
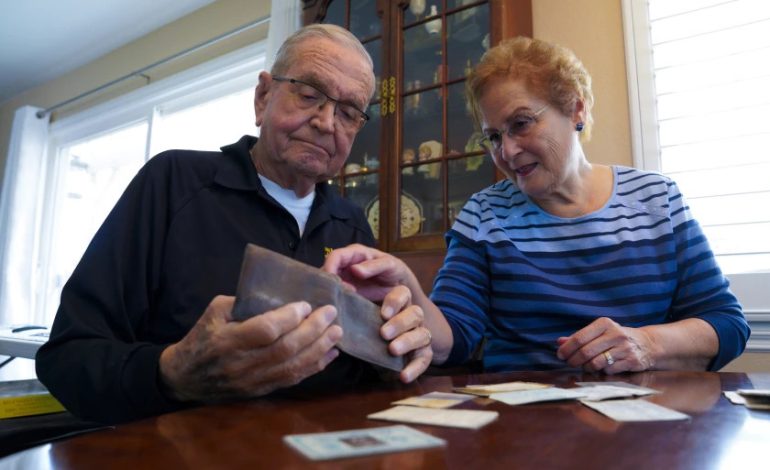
{"points": [[93, 155]]}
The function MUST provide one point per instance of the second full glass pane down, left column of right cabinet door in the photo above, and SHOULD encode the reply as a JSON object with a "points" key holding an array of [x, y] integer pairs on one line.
{"points": [[422, 120]]}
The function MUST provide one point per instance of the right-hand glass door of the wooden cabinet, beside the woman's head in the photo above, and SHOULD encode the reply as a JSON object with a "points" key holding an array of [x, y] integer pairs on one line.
{"points": [[441, 163]]}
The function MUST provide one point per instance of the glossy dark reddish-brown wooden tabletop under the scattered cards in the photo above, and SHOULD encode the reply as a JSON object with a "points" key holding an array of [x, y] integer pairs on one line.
{"points": [[545, 435]]}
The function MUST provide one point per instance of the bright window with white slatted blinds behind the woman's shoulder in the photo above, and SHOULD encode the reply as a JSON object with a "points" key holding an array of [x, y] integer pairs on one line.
{"points": [[698, 72]]}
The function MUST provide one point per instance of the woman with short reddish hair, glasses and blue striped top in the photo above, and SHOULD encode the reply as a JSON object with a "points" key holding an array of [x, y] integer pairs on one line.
{"points": [[565, 263]]}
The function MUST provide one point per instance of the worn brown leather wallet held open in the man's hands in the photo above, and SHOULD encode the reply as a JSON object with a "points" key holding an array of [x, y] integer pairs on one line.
{"points": [[269, 280]]}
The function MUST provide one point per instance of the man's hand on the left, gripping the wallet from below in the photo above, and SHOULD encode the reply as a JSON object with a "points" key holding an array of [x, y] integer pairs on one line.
{"points": [[220, 359]]}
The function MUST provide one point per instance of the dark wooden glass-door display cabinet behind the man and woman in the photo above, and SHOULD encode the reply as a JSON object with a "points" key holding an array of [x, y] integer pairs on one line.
{"points": [[417, 160]]}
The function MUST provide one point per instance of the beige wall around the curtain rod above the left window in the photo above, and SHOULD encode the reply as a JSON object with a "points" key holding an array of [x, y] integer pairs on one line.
{"points": [[211, 21]]}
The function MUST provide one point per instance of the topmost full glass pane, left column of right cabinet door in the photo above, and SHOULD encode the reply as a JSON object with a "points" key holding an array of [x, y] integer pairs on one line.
{"points": [[422, 57]]}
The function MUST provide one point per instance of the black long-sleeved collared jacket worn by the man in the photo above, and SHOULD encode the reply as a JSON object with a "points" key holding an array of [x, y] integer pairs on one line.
{"points": [[174, 241]]}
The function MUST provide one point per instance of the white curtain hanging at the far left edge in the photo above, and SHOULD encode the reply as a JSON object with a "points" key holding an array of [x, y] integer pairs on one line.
{"points": [[19, 208]]}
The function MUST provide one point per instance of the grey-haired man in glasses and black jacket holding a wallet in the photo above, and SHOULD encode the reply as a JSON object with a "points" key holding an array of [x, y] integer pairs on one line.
{"points": [[143, 327]]}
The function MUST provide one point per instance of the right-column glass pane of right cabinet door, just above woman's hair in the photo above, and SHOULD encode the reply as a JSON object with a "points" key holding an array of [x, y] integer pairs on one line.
{"points": [[467, 39]]}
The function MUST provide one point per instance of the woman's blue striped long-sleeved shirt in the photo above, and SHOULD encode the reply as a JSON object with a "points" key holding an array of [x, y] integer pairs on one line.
{"points": [[522, 277]]}
